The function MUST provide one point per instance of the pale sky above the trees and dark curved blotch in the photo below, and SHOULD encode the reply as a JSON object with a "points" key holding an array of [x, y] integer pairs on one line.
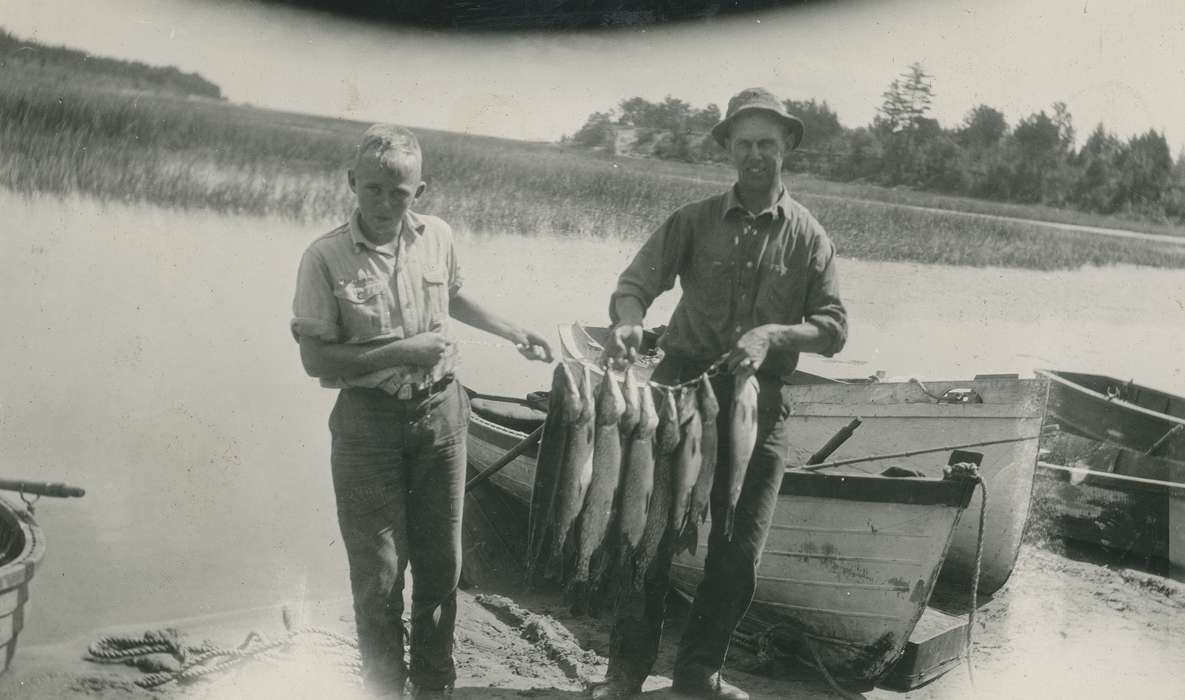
{"points": [[1120, 62]]}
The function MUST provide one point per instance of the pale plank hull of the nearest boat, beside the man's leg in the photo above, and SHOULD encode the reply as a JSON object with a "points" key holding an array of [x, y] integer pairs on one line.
{"points": [[848, 568]]}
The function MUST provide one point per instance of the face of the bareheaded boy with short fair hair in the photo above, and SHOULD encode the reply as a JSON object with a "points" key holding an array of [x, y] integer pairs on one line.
{"points": [[386, 190]]}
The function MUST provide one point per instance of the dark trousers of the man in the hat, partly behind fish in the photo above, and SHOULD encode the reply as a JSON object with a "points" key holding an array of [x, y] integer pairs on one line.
{"points": [[731, 570]]}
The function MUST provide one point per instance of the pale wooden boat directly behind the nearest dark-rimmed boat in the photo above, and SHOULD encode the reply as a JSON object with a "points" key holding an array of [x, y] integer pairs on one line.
{"points": [[904, 416]]}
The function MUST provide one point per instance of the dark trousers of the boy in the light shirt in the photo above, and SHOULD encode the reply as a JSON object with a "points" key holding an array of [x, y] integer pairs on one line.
{"points": [[399, 477]]}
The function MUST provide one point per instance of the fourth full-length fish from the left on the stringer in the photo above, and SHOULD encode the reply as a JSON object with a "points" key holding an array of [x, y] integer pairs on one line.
{"points": [[638, 473]]}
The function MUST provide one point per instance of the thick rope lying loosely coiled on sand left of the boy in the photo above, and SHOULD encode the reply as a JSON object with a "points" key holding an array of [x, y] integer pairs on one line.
{"points": [[206, 659]]}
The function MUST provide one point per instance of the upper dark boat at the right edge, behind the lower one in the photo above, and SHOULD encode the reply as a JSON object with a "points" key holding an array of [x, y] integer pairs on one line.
{"points": [[1110, 410]]}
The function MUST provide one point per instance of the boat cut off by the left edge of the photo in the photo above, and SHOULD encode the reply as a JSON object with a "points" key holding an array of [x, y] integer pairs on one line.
{"points": [[22, 548]]}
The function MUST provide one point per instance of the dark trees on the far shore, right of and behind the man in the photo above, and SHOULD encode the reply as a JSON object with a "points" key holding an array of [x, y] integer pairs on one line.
{"points": [[1034, 162]]}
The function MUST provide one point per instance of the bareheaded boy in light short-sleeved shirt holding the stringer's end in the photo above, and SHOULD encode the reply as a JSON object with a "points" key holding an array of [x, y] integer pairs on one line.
{"points": [[371, 314]]}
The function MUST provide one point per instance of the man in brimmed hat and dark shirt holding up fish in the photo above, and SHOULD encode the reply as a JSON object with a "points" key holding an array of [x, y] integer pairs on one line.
{"points": [[759, 287]]}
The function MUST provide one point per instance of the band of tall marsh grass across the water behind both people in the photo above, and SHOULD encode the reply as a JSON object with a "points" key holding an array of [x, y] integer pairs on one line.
{"points": [[209, 155]]}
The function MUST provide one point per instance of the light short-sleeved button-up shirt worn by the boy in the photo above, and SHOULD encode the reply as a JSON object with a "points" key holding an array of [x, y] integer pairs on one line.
{"points": [[351, 291]]}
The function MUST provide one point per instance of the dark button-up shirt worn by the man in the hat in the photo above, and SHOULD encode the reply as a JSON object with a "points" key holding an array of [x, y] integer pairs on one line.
{"points": [[739, 271]]}
